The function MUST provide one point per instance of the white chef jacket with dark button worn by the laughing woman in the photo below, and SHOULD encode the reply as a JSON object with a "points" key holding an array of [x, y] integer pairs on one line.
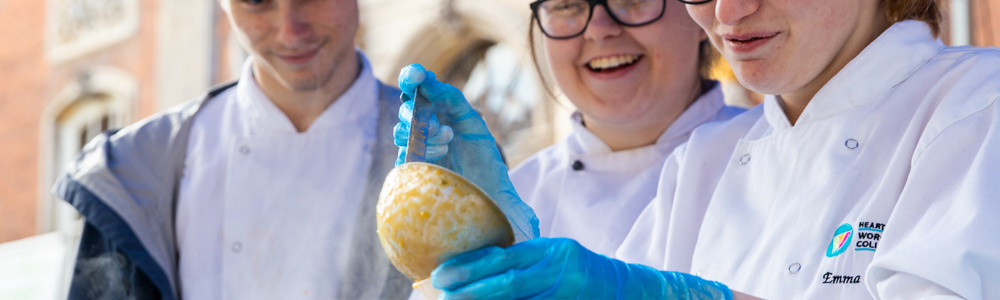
{"points": [[596, 202]]}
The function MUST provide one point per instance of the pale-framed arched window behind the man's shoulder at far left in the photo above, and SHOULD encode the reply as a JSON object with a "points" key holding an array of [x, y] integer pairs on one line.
{"points": [[100, 98]]}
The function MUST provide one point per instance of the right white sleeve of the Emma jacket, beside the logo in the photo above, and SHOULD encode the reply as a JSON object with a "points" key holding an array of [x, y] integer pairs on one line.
{"points": [[942, 240]]}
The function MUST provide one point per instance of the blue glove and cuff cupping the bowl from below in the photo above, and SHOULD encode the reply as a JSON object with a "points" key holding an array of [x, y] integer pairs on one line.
{"points": [[545, 268]]}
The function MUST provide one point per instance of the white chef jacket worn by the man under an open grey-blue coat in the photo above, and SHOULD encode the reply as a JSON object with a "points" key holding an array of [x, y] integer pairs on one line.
{"points": [[266, 212]]}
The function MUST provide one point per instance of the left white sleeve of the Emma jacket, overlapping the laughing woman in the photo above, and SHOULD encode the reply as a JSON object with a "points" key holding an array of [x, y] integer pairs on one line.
{"points": [[646, 242]]}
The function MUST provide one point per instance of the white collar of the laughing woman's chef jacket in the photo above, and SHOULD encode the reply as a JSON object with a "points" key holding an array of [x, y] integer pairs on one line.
{"points": [[703, 108]]}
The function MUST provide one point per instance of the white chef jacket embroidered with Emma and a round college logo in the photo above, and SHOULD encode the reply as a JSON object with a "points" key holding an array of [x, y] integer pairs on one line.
{"points": [[887, 187]]}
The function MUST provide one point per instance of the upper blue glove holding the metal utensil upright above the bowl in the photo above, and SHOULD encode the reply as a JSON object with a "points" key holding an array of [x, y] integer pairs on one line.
{"points": [[472, 152]]}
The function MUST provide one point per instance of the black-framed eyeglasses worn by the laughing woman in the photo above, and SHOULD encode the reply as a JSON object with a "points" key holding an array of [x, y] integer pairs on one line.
{"points": [[565, 19]]}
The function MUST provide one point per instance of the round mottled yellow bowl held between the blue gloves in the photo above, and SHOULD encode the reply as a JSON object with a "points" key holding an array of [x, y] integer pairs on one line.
{"points": [[427, 214]]}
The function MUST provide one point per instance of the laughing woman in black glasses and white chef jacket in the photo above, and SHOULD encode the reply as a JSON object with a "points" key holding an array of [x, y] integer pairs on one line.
{"points": [[634, 70]]}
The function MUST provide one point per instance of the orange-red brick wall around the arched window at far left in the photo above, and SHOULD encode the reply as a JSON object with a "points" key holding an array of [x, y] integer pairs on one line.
{"points": [[30, 82]]}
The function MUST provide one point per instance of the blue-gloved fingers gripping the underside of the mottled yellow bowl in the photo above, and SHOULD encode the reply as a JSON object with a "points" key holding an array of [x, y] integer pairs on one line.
{"points": [[488, 261]]}
